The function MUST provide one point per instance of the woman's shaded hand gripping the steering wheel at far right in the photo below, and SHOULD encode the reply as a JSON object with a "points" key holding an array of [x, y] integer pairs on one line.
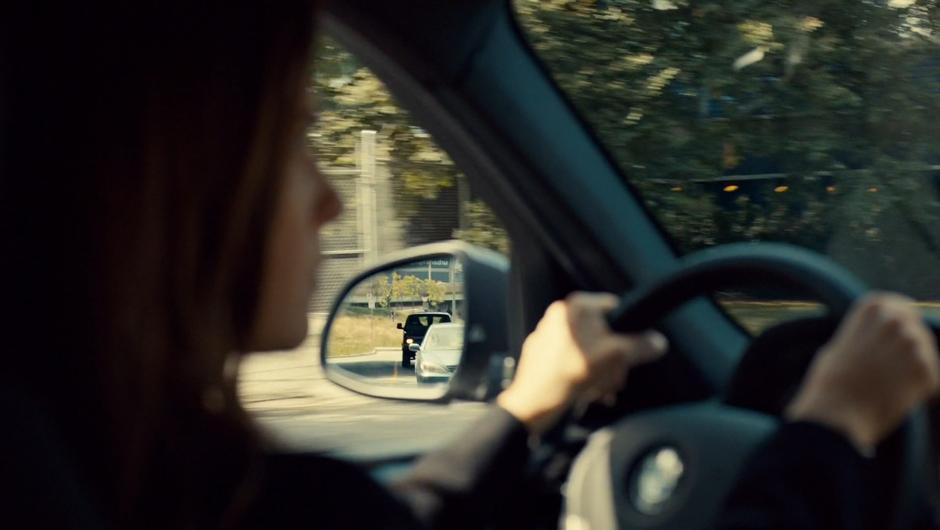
{"points": [[881, 363]]}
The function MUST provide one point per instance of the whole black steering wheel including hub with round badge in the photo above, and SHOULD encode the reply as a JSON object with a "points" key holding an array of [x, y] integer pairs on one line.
{"points": [[671, 468]]}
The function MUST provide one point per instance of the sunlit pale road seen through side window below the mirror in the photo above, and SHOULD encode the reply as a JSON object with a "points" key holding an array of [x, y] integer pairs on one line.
{"points": [[293, 401]]}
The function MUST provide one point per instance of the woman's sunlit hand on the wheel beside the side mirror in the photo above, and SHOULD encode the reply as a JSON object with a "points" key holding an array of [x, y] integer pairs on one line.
{"points": [[573, 356]]}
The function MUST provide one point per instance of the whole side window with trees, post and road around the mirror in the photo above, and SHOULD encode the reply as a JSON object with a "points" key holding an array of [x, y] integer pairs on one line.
{"points": [[399, 190]]}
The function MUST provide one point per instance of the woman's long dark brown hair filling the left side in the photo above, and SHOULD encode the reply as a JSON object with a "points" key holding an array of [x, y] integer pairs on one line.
{"points": [[143, 147]]}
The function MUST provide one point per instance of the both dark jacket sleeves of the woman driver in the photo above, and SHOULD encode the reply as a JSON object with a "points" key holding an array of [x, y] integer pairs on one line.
{"points": [[806, 477]]}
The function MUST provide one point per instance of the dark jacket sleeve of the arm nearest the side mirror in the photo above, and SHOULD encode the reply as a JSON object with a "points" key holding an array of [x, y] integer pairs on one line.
{"points": [[458, 487]]}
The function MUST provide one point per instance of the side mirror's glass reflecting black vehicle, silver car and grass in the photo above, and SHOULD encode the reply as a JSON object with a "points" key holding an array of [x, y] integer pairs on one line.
{"points": [[401, 327]]}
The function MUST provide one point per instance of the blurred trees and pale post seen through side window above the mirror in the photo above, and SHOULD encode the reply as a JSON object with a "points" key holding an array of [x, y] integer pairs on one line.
{"points": [[399, 188]]}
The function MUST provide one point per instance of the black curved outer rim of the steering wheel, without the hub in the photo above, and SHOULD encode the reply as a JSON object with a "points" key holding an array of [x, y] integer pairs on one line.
{"points": [[704, 272]]}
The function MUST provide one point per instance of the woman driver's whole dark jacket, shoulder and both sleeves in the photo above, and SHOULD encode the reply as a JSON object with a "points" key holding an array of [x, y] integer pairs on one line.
{"points": [[806, 477]]}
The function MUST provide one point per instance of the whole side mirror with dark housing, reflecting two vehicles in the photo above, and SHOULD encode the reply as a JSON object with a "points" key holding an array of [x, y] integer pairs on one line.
{"points": [[465, 335]]}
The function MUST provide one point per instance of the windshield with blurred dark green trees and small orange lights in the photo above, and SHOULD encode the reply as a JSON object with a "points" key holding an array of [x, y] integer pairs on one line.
{"points": [[808, 123]]}
